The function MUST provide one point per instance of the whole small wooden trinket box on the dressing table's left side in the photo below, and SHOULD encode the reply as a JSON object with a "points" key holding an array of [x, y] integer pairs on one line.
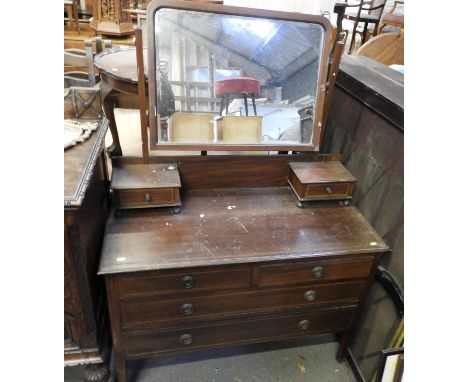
{"points": [[143, 186]]}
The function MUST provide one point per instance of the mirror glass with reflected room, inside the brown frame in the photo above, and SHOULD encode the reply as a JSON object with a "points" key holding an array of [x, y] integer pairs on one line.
{"points": [[230, 79]]}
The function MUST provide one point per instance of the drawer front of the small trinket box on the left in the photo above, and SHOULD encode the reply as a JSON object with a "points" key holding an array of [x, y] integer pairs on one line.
{"points": [[142, 197]]}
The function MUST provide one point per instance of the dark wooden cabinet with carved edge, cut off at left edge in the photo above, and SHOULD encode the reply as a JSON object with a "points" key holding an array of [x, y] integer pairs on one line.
{"points": [[85, 213]]}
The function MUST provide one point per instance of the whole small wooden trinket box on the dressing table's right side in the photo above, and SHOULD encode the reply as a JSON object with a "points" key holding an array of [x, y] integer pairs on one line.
{"points": [[320, 180]]}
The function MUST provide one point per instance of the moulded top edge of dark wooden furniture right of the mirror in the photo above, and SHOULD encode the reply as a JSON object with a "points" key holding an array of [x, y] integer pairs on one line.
{"points": [[374, 84]]}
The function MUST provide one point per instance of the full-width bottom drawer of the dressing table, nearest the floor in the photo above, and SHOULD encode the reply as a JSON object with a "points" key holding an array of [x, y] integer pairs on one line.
{"points": [[237, 332]]}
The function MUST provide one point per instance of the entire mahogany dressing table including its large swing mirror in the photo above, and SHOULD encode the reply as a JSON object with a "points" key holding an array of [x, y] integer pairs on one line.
{"points": [[240, 262]]}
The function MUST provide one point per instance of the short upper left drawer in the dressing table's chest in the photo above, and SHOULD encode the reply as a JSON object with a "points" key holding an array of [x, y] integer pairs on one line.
{"points": [[188, 281]]}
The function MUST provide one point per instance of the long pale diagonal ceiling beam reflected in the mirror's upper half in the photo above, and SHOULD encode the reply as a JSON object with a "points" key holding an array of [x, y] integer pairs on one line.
{"points": [[254, 70]]}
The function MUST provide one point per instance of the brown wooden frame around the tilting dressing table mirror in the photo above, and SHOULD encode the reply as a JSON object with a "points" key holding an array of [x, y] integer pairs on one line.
{"points": [[155, 5]]}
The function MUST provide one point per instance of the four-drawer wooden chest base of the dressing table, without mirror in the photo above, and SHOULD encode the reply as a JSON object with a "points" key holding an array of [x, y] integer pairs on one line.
{"points": [[234, 267]]}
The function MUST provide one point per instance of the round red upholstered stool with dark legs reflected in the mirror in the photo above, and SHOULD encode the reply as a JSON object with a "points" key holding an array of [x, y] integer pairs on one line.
{"points": [[237, 87]]}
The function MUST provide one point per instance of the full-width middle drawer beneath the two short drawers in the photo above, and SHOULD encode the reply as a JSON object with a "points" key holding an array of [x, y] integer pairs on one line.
{"points": [[154, 313]]}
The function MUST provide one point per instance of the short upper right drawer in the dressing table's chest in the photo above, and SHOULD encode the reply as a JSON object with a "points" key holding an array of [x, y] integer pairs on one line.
{"points": [[314, 271]]}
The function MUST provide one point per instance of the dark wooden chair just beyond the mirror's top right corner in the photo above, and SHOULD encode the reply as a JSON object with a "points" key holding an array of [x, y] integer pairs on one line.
{"points": [[369, 12]]}
